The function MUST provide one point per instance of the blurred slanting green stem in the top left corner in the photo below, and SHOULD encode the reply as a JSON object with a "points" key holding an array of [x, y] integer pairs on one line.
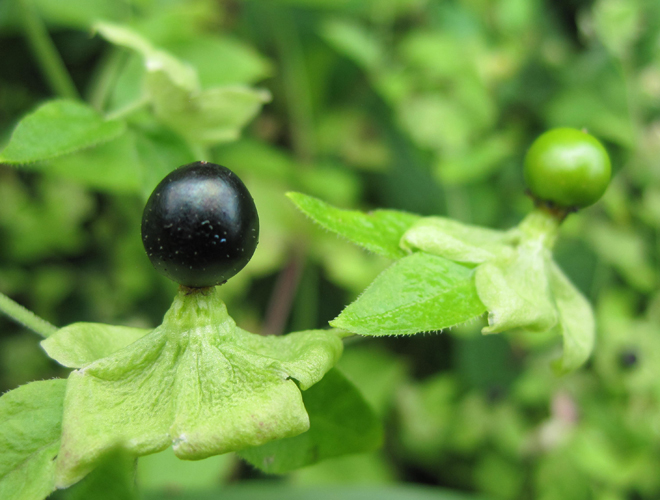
{"points": [[44, 49]]}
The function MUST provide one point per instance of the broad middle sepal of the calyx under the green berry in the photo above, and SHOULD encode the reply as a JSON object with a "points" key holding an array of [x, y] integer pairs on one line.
{"points": [[515, 289]]}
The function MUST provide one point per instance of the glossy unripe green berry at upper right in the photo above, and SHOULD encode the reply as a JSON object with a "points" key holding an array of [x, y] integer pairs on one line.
{"points": [[568, 168]]}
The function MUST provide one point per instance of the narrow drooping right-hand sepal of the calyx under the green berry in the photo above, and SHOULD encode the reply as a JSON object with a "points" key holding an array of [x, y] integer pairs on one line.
{"points": [[576, 321]]}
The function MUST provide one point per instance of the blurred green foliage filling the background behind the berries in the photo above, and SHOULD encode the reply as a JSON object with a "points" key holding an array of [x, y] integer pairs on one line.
{"points": [[419, 105]]}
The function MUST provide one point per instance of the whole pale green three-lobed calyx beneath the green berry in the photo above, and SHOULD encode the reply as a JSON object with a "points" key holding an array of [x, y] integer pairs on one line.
{"points": [[515, 277]]}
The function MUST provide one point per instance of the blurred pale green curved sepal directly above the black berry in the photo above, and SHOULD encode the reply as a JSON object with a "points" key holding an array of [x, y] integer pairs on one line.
{"points": [[208, 117]]}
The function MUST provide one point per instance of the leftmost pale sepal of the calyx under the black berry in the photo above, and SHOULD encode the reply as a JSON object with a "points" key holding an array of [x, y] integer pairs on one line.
{"points": [[80, 344]]}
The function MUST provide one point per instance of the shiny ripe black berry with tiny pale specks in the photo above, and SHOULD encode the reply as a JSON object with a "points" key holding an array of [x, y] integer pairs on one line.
{"points": [[200, 225]]}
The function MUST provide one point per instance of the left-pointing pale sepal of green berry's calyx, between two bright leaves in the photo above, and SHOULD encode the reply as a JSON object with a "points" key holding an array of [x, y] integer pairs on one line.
{"points": [[454, 240]]}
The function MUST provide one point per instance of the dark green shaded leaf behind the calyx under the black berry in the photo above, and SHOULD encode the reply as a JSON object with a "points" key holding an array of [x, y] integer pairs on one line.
{"points": [[340, 422]]}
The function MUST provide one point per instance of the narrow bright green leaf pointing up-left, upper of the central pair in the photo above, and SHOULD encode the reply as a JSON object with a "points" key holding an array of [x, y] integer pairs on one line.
{"points": [[378, 231]]}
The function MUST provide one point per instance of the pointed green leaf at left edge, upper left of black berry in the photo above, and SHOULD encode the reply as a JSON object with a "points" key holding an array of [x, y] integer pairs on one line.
{"points": [[56, 128]]}
